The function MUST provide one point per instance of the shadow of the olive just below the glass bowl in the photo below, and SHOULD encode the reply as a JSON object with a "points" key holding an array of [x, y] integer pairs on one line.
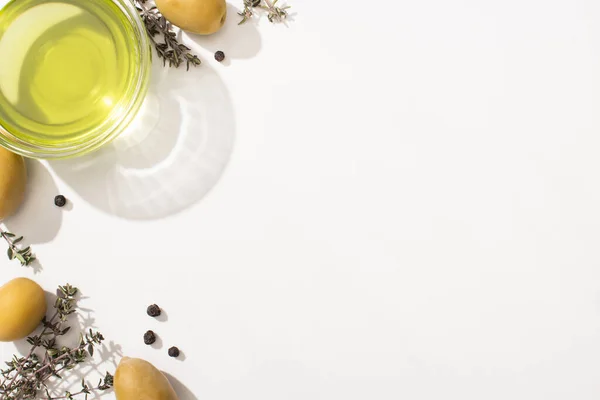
{"points": [[38, 219]]}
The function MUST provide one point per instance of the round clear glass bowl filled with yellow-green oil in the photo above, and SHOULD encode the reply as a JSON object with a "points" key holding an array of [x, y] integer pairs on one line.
{"points": [[50, 137]]}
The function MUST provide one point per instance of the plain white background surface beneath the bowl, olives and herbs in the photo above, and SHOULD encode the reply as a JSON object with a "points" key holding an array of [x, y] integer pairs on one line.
{"points": [[382, 200]]}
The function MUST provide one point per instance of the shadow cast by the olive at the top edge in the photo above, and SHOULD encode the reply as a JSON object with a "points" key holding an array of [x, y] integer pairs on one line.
{"points": [[236, 41]]}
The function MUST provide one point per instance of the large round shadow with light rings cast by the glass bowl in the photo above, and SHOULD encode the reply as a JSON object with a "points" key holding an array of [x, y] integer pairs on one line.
{"points": [[172, 155]]}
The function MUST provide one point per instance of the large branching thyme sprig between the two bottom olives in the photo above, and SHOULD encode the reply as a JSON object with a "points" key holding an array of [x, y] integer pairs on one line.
{"points": [[28, 377]]}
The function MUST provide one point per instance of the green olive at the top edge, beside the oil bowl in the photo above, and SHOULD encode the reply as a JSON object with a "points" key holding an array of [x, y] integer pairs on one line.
{"points": [[196, 16]]}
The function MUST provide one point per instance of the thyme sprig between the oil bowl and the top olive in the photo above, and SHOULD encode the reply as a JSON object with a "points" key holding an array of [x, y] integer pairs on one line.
{"points": [[169, 49]]}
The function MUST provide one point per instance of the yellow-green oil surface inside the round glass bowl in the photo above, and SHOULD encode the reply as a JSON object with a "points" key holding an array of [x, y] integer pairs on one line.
{"points": [[65, 66]]}
